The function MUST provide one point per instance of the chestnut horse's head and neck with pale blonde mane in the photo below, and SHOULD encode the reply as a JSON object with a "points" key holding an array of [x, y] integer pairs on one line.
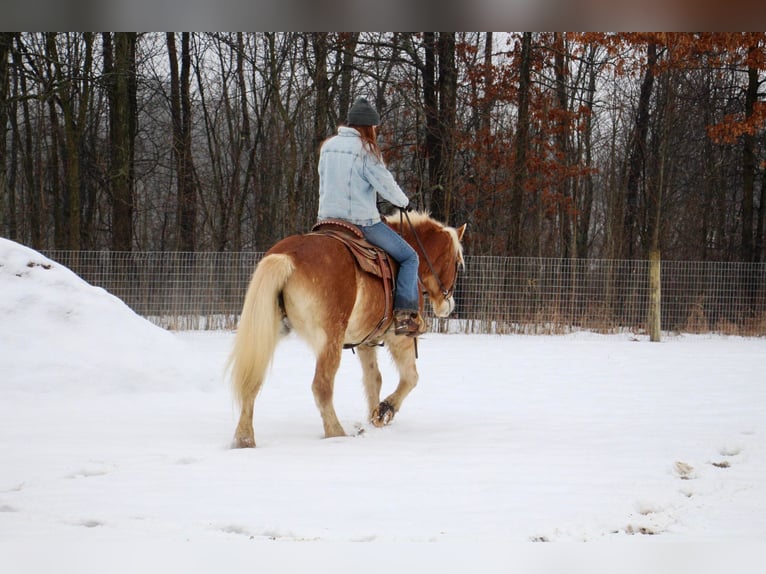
{"points": [[441, 256]]}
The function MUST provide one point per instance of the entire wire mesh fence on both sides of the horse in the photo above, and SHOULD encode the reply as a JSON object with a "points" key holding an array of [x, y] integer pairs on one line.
{"points": [[205, 290]]}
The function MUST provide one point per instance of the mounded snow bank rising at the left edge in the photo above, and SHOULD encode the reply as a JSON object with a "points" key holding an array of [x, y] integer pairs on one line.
{"points": [[52, 321]]}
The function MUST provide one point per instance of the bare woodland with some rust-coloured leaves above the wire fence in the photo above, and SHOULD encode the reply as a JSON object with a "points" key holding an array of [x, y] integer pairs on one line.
{"points": [[565, 145]]}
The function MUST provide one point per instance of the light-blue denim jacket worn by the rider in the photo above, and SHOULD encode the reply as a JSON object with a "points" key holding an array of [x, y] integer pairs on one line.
{"points": [[350, 179]]}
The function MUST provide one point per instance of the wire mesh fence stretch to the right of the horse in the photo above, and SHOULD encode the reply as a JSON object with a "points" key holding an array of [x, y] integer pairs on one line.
{"points": [[537, 295]]}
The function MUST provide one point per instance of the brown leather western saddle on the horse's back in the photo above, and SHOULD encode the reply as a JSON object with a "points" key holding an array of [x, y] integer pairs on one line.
{"points": [[370, 259]]}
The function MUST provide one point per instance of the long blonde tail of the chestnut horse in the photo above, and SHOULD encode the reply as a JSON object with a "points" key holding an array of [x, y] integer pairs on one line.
{"points": [[259, 326]]}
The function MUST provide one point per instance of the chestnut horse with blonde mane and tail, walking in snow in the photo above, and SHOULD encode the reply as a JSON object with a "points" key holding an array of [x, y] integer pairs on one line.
{"points": [[311, 284]]}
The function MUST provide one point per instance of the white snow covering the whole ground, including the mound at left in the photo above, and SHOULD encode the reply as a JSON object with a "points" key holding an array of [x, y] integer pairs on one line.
{"points": [[115, 434]]}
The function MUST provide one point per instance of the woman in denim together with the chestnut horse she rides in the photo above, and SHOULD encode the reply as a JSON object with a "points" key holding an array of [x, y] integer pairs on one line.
{"points": [[311, 284]]}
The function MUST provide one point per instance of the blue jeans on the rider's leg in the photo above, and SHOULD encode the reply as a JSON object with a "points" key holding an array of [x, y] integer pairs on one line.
{"points": [[381, 235]]}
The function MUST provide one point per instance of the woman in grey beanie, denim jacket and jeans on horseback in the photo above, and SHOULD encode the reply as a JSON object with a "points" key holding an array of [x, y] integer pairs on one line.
{"points": [[351, 175]]}
